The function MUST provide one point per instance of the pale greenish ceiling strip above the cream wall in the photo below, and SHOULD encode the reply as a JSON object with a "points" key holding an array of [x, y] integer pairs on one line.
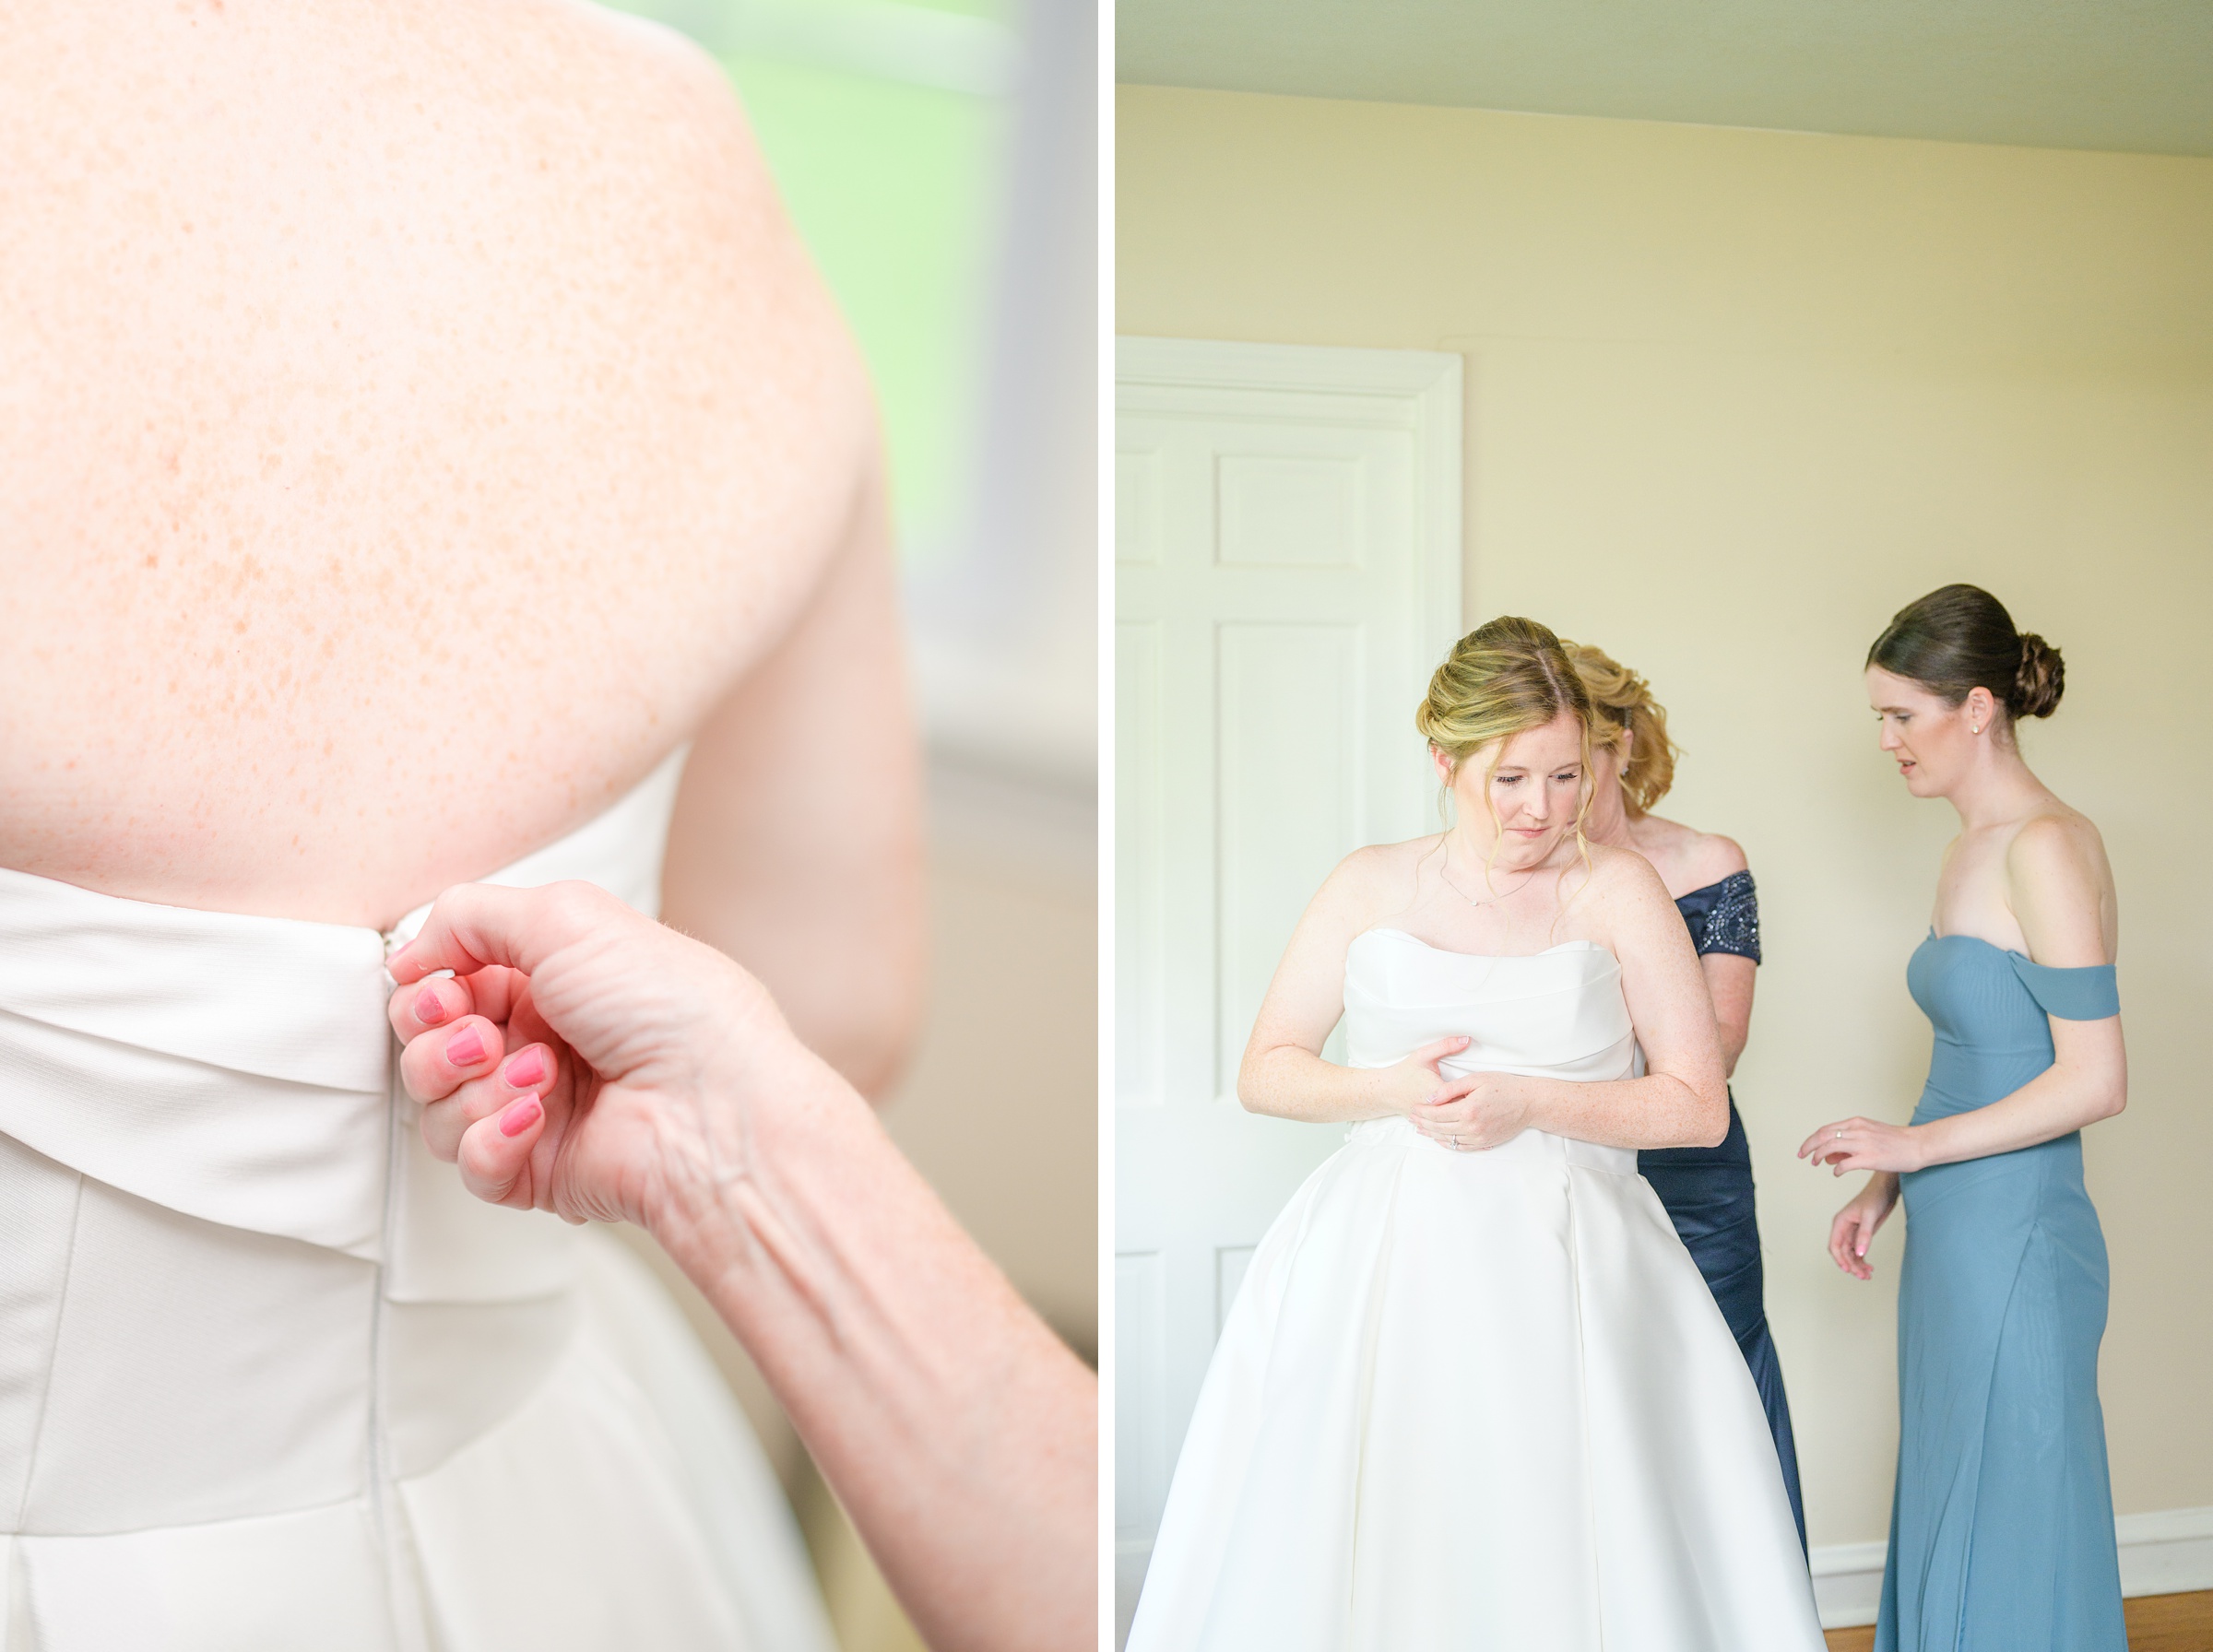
{"points": [[2050, 74]]}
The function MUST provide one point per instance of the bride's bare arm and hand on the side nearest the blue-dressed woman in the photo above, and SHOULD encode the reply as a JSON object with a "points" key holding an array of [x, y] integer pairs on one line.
{"points": [[1683, 1098]]}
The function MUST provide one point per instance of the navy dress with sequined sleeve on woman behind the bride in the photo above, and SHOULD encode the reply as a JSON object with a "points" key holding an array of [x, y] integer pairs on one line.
{"points": [[1710, 1191]]}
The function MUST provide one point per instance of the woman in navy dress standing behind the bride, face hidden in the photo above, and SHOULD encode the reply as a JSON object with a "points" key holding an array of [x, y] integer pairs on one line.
{"points": [[1707, 1191]]}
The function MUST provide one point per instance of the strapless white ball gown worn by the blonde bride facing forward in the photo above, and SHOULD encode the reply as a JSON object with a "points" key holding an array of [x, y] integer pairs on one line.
{"points": [[1477, 1401]]}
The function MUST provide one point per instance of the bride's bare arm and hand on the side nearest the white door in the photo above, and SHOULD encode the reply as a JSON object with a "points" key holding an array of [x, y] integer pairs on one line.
{"points": [[1282, 1071]]}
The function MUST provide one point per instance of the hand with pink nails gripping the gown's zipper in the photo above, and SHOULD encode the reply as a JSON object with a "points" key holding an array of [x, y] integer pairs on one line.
{"points": [[568, 1063]]}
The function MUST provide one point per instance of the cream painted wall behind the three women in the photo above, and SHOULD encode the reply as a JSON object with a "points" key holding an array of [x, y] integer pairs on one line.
{"points": [[1734, 399]]}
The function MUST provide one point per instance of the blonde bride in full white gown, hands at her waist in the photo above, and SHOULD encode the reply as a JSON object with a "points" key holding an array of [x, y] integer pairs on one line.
{"points": [[1473, 1390]]}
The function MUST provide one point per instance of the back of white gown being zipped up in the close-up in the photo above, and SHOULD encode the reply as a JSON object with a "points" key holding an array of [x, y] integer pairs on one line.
{"points": [[273, 1383]]}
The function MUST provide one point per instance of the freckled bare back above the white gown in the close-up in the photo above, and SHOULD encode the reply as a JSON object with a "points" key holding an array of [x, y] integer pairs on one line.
{"points": [[415, 419]]}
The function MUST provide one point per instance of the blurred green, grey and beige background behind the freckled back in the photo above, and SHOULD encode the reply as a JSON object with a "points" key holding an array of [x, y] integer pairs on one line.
{"points": [[939, 160]]}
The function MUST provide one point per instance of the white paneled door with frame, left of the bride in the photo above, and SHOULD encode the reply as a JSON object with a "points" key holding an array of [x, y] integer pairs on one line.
{"points": [[1289, 576]]}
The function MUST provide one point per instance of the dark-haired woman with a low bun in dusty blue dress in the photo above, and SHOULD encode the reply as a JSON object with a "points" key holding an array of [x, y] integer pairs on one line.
{"points": [[2002, 1529]]}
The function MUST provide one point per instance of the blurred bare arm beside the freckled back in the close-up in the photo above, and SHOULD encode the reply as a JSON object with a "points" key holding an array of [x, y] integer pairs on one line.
{"points": [[798, 839]]}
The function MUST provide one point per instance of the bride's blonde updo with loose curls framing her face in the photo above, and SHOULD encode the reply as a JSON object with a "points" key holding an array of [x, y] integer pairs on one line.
{"points": [[1502, 680]]}
